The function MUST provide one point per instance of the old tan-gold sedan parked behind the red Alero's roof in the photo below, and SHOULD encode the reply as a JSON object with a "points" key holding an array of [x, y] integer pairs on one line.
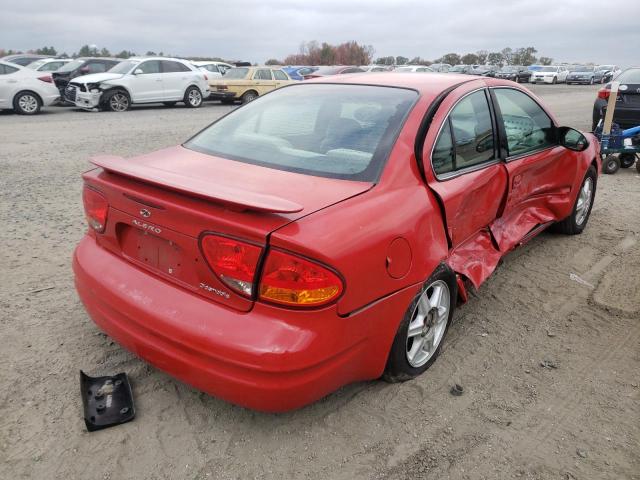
{"points": [[246, 83]]}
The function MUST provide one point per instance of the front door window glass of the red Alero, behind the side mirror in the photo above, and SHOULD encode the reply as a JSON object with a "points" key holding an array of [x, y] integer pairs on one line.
{"points": [[527, 125]]}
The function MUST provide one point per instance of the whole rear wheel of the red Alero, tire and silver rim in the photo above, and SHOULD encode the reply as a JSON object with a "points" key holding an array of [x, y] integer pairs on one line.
{"points": [[435, 303]]}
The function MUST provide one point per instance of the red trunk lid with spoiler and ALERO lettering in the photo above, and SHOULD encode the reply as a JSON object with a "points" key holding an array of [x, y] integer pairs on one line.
{"points": [[161, 203]]}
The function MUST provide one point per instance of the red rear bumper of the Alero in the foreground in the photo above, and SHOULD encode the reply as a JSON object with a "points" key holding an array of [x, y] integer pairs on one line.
{"points": [[268, 359]]}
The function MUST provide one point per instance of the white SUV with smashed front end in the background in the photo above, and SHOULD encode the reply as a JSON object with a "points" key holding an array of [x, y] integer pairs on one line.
{"points": [[140, 80]]}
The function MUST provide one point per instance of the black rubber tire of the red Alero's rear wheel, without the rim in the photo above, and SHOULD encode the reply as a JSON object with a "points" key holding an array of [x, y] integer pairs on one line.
{"points": [[398, 367]]}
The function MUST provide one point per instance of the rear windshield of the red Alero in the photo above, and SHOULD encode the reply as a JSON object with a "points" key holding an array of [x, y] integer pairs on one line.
{"points": [[326, 130]]}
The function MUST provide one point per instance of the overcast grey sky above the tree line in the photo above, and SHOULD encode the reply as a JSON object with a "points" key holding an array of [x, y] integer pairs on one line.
{"points": [[566, 30]]}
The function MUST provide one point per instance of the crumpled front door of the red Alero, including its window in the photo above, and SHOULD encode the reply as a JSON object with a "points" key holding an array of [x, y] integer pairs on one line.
{"points": [[541, 173]]}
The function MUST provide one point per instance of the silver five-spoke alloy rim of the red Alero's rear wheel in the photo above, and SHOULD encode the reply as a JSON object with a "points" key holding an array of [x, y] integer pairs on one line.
{"points": [[428, 323]]}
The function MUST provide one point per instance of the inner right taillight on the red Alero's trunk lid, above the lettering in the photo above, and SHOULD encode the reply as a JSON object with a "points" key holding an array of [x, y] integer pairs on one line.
{"points": [[233, 261]]}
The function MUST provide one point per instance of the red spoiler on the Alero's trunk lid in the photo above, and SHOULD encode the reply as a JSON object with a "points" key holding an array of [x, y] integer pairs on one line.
{"points": [[234, 198]]}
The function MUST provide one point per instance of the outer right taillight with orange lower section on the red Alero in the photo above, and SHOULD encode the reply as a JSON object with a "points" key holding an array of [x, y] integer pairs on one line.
{"points": [[291, 280]]}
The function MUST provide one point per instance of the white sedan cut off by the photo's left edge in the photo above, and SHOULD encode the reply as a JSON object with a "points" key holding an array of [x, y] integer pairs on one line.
{"points": [[24, 90]]}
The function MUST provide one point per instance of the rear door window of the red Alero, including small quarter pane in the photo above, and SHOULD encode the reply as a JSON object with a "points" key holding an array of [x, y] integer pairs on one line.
{"points": [[466, 139]]}
